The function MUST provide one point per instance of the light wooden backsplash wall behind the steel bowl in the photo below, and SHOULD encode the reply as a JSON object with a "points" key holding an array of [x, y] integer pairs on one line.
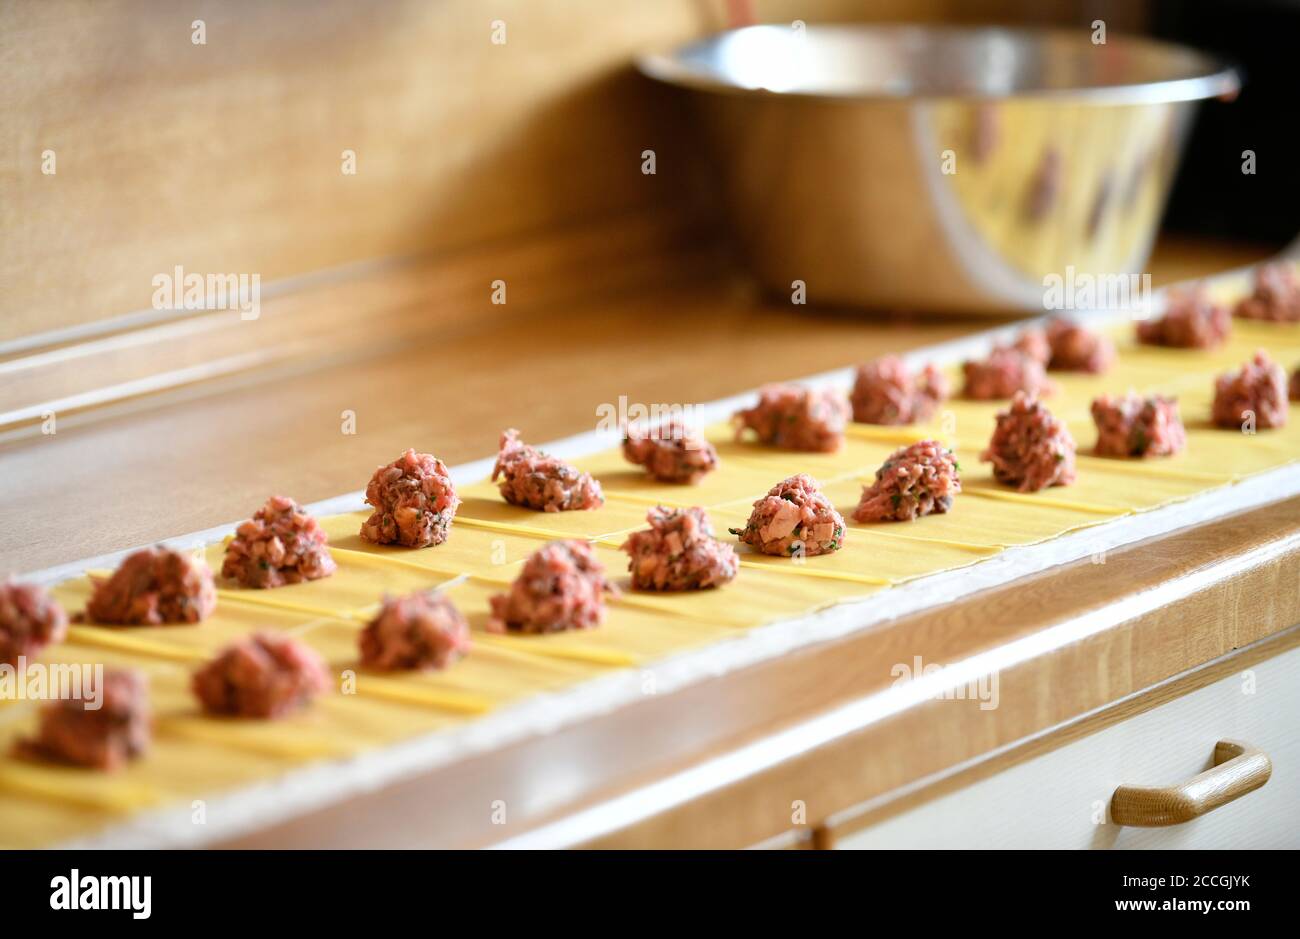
{"points": [[228, 157]]}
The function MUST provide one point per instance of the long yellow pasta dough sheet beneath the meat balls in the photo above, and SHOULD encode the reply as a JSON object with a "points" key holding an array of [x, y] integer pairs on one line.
{"points": [[196, 758]]}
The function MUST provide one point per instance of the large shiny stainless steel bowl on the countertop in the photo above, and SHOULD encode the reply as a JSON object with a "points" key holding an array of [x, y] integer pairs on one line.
{"points": [[948, 170]]}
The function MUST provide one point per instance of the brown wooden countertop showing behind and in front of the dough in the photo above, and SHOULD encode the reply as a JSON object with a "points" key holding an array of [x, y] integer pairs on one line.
{"points": [[453, 373]]}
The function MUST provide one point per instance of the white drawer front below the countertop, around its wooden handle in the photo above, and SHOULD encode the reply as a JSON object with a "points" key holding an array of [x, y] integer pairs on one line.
{"points": [[1061, 799]]}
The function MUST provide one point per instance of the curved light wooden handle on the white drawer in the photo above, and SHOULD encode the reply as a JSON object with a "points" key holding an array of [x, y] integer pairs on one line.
{"points": [[1240, 768]]}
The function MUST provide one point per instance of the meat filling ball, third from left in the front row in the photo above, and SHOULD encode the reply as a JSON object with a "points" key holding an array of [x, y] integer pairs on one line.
{"points": [[418, 631]]}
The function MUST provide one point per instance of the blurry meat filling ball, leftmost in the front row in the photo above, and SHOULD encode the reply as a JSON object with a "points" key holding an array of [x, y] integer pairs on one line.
{"points": [[103, 738]]}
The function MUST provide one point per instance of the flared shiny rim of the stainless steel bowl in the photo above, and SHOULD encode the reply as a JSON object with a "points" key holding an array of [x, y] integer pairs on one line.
{"points": [[1215, 77]]}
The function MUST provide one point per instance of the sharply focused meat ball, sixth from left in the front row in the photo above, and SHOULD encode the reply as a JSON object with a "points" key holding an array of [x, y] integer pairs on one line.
{"points": [[794, 520]]}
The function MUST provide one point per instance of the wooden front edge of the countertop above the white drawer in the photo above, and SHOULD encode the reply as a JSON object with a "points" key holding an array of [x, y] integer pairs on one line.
{"points": [[619, 755]]}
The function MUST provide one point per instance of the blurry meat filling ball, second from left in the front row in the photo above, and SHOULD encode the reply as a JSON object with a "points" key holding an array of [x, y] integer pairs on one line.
{"points": [[261, 677]]}
